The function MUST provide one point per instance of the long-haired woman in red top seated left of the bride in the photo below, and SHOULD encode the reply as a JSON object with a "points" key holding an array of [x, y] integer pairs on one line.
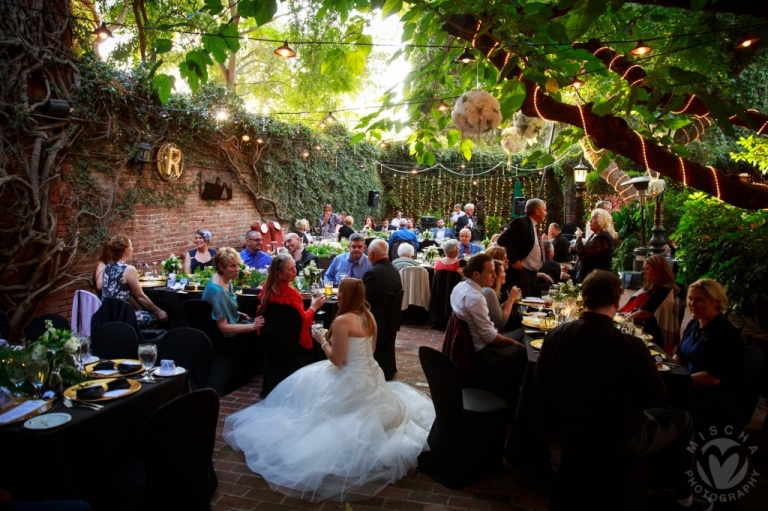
{"points": [[277, 289]]}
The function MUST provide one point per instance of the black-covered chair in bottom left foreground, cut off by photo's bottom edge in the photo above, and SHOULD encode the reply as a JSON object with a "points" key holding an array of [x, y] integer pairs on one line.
{"points": [[180, 472]]}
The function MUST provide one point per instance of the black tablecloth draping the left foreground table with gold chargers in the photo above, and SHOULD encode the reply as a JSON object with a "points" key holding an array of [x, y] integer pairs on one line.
{"points": [[79, 459]]}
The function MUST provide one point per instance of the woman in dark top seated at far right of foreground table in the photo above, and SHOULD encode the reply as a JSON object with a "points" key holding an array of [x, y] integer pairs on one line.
{"points": [[712, 351]]}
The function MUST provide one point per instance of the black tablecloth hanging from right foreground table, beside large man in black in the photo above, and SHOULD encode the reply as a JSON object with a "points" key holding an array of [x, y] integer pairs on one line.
{"points": [[527, 446]]}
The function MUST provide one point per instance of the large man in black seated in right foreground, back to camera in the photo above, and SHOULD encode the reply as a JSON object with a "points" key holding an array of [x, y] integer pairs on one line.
{"points": [[588, 363]]}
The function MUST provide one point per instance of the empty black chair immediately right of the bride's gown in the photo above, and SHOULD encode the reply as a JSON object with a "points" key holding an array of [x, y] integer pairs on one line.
{"points": [[466, 441]]}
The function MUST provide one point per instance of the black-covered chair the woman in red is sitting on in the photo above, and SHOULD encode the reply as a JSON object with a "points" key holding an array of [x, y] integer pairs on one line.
{"points": [[282, 353]]}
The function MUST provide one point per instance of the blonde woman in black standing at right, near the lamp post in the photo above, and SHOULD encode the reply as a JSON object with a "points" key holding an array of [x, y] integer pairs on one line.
{"points": [[597, 252]]}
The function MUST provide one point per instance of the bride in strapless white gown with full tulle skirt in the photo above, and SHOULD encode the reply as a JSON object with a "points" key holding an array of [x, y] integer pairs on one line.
{"points": [[335, 429]]}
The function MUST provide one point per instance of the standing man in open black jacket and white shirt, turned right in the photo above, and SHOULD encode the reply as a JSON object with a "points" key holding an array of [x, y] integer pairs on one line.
{"points": [[524, 250]]}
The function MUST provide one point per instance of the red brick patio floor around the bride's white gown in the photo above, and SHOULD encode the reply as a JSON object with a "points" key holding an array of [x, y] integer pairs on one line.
{"points": [[239, 488]]}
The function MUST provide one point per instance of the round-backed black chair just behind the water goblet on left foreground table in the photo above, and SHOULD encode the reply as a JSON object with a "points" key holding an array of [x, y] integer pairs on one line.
{"points": [[191, 349]]}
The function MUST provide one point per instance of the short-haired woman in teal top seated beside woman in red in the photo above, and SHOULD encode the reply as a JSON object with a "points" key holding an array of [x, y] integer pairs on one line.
{"points": [[220, 294]]}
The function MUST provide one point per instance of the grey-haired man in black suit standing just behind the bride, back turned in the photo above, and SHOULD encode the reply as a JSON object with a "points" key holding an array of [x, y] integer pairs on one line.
{"points": [[382, 283]]}
